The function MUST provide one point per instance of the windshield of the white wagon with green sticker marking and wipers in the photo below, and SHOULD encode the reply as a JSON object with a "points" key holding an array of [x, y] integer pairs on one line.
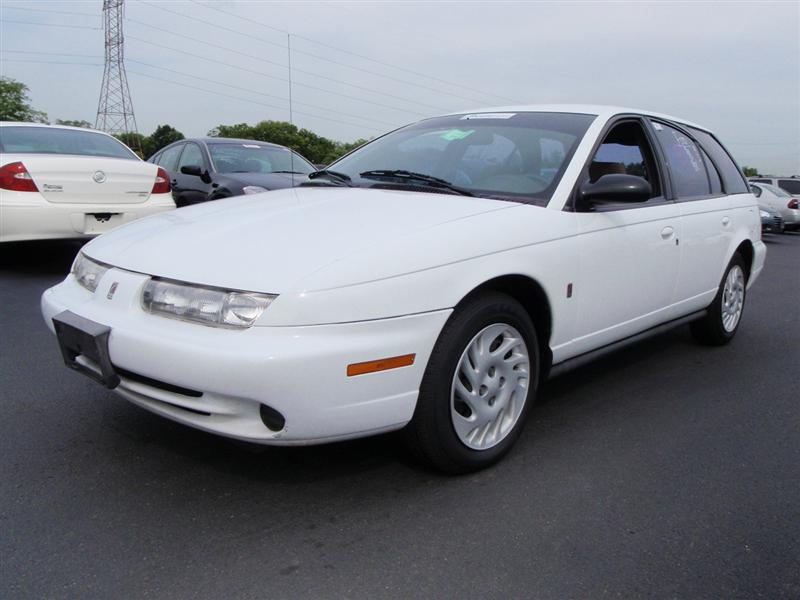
{"points": [[511, 156]]}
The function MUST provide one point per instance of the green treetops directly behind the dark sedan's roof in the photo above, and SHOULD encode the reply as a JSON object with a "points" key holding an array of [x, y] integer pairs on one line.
{"points": [[317, 149]]}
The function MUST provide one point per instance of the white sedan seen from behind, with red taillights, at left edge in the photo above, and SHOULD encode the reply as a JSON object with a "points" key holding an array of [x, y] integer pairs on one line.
{"points": [[67, 182]]}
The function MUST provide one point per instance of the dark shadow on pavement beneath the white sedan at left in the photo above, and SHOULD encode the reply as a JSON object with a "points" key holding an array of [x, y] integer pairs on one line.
{"points": [[40, 257]]}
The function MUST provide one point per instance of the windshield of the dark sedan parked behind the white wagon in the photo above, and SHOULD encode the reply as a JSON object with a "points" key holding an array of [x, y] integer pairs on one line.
{"points": [[255, 158]]}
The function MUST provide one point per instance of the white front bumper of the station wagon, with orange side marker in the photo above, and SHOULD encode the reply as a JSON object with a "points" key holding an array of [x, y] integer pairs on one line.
{"points": [[218, 379]]}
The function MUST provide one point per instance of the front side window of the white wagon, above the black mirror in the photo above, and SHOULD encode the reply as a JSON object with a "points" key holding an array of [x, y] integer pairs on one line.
{"points": [[625, 150]]}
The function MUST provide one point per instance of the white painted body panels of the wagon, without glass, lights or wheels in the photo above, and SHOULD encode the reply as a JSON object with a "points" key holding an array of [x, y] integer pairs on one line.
{"points": [[364, 274]]}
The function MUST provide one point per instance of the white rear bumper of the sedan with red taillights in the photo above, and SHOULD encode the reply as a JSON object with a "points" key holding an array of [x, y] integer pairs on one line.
{"points": [[28, 216]]}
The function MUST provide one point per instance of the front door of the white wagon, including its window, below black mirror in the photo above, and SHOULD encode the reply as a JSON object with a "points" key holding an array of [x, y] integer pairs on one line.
{"points": [[628, 253]]}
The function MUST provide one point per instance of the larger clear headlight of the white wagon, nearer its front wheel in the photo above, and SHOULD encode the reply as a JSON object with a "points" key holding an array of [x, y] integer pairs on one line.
{"points": [[210, 306]]}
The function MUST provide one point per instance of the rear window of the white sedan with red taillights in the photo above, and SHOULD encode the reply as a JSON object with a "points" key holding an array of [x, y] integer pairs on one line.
{"points": [[52, 140]]}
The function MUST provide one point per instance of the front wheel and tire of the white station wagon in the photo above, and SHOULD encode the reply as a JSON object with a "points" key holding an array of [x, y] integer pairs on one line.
{"points": [[459, 427]]}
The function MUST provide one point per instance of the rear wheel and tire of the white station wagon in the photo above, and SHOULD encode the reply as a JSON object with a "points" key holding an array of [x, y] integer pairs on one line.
{"points": [[725, 312]]}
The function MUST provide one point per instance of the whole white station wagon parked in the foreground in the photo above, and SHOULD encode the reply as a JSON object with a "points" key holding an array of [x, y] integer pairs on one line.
{"points": [[430, 280]]}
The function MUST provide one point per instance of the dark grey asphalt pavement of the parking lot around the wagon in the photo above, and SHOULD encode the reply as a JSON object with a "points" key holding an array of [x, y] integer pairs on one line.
{"points": [[667, 470]]}
